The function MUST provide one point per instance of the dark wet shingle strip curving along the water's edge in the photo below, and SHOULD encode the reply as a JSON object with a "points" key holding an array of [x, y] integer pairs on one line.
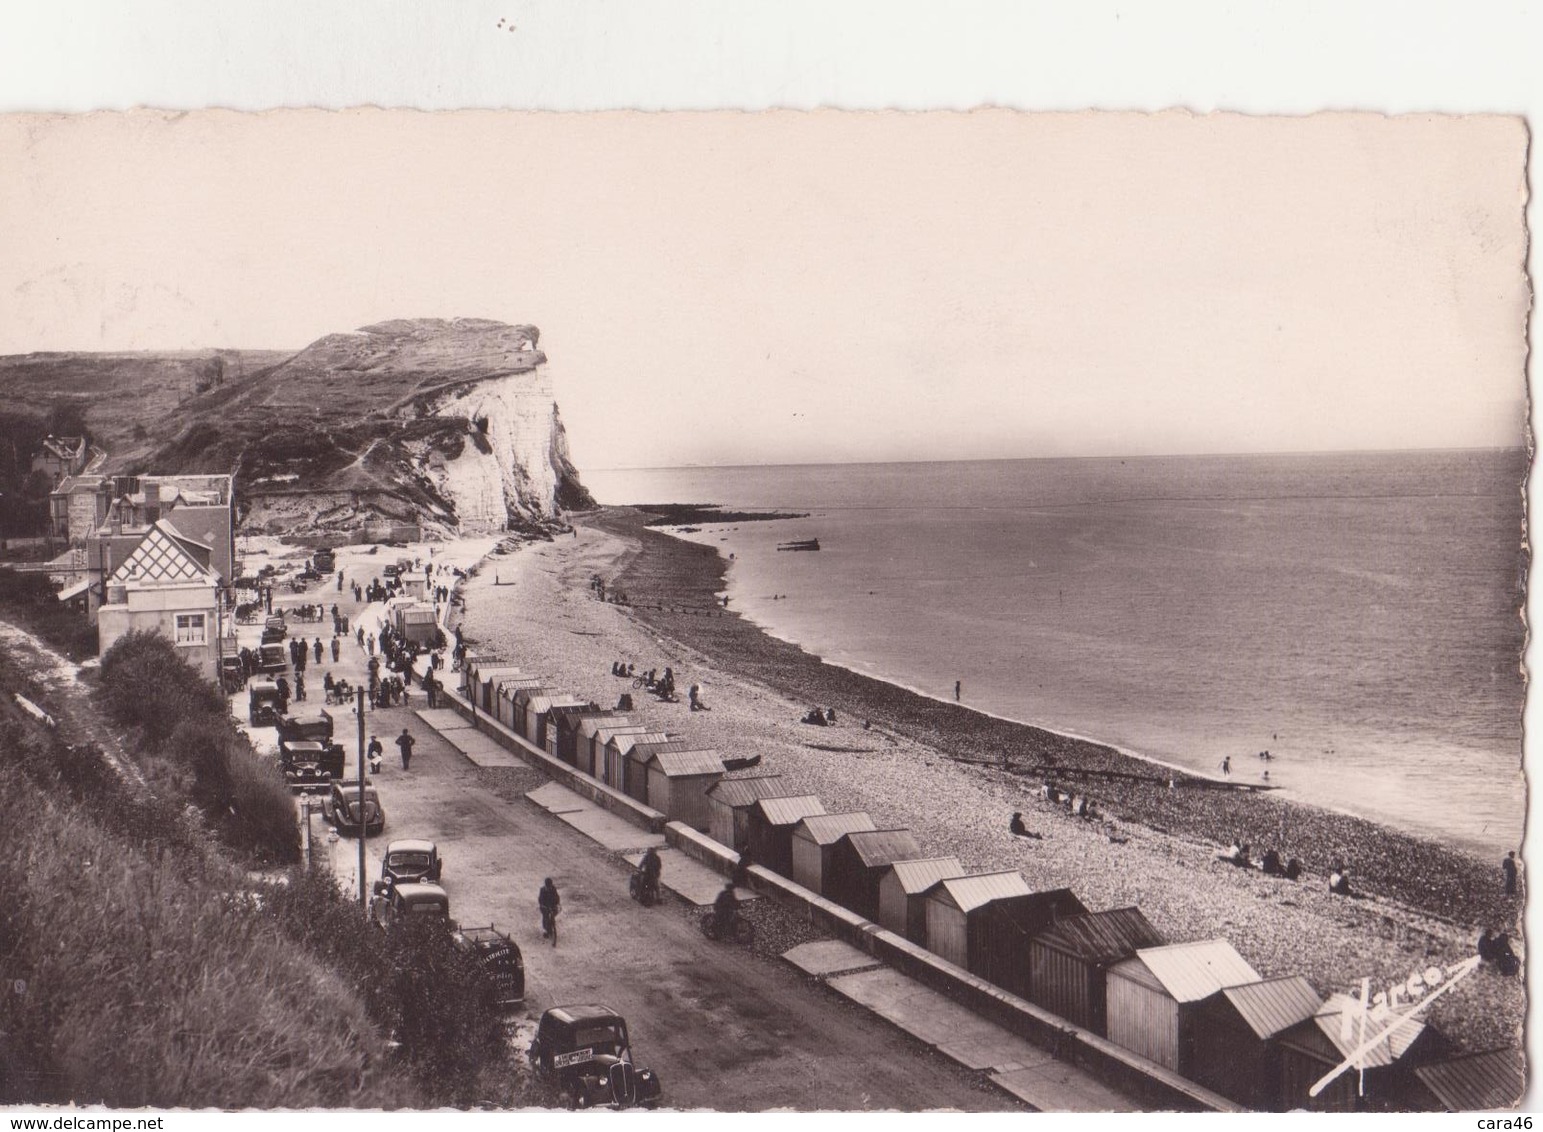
{"points": [[672, 588]]}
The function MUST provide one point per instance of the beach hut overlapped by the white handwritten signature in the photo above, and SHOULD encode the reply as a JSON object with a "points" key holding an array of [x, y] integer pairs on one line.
{"points": [[1325, 1042]]}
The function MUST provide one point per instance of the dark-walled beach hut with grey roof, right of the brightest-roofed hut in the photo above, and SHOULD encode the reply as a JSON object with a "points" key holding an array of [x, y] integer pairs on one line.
{"points": [[1234, 1049]]}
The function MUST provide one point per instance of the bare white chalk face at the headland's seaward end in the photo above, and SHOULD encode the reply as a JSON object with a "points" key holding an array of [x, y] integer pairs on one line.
{"points": [[518, 479]]}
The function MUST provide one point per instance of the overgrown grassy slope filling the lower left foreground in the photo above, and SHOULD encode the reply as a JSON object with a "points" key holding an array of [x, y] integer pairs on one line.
{"points": [[144, 966]]}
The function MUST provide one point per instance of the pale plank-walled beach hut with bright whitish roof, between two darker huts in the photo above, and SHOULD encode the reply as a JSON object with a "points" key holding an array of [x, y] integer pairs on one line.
{"points": [[1153, 997]]}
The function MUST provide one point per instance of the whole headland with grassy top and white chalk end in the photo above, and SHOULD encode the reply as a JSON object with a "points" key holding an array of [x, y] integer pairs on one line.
{"points": [[447, 423]]}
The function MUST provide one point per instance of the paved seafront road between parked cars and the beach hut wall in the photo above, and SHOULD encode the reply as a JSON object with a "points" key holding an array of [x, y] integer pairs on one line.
{"points": [[726, 1029]]}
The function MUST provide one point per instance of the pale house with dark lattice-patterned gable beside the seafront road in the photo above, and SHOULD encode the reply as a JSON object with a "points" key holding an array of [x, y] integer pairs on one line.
{"points": [[166, 585]]}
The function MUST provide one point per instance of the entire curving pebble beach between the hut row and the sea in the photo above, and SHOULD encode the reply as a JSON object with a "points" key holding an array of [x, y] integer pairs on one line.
{"points": [[954, 778]]}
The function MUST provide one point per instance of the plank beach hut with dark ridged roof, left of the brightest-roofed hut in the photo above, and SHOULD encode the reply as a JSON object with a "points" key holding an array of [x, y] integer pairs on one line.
{"points": [[1069, 962]]}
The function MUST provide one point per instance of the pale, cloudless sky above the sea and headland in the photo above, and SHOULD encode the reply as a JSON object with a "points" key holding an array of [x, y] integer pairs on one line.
{"points": [[791, 288]]}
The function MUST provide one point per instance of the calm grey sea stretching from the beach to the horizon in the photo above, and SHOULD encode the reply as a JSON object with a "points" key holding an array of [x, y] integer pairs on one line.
{"points": [[1359, 616]]}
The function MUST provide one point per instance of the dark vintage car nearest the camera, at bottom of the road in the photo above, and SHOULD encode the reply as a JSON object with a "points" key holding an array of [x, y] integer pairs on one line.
{"points": [[586, 1049]]}
